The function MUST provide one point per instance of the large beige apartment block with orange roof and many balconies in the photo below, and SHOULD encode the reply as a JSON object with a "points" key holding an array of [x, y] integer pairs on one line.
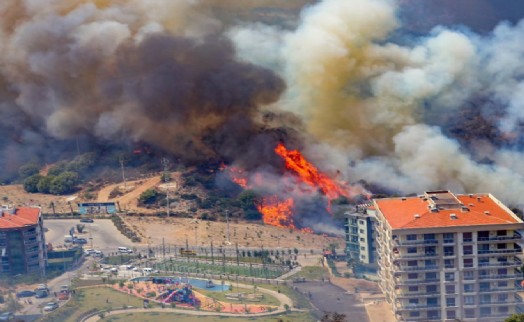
{"points": [[446, 257]]}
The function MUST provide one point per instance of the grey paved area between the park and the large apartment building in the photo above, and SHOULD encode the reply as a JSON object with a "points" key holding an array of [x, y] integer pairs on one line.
{"points": [[327, 297]]}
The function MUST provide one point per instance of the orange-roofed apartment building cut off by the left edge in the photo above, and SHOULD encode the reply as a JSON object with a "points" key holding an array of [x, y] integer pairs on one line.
{"points": [[22, 241]]}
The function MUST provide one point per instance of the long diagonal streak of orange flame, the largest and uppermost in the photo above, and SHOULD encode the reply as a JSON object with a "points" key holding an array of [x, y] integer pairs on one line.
{"points": [[309, 174]]}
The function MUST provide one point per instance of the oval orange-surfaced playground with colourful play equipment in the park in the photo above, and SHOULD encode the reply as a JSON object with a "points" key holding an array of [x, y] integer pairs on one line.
{"points": [[184, 293]]}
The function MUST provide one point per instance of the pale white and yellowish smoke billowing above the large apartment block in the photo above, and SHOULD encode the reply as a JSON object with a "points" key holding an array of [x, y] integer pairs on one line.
{"points": [[374, 101]]}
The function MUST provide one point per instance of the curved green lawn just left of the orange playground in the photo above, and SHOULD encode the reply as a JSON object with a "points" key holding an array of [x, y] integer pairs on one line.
{"points": [[89, 299]]}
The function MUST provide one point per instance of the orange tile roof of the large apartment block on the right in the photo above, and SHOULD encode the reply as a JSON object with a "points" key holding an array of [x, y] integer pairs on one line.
{"points": [[414, 212]]}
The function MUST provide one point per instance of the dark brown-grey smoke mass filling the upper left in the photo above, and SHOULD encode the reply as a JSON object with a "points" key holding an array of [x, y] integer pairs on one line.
{"points": [[157, 71]]}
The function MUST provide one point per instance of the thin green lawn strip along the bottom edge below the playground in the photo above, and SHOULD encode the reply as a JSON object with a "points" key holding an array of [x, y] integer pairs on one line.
{"points": [[168, 317]]}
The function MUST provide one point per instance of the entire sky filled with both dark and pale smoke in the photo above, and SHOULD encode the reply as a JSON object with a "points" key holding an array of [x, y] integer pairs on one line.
{"points": [[370, 87]]}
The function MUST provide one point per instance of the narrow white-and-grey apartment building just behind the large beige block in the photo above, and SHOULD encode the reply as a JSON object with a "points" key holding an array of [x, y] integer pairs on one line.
{"points": [[360, 235]]}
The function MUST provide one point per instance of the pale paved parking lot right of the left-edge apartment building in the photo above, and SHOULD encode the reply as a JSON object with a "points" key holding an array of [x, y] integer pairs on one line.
{"points": [[105, 236]]}
